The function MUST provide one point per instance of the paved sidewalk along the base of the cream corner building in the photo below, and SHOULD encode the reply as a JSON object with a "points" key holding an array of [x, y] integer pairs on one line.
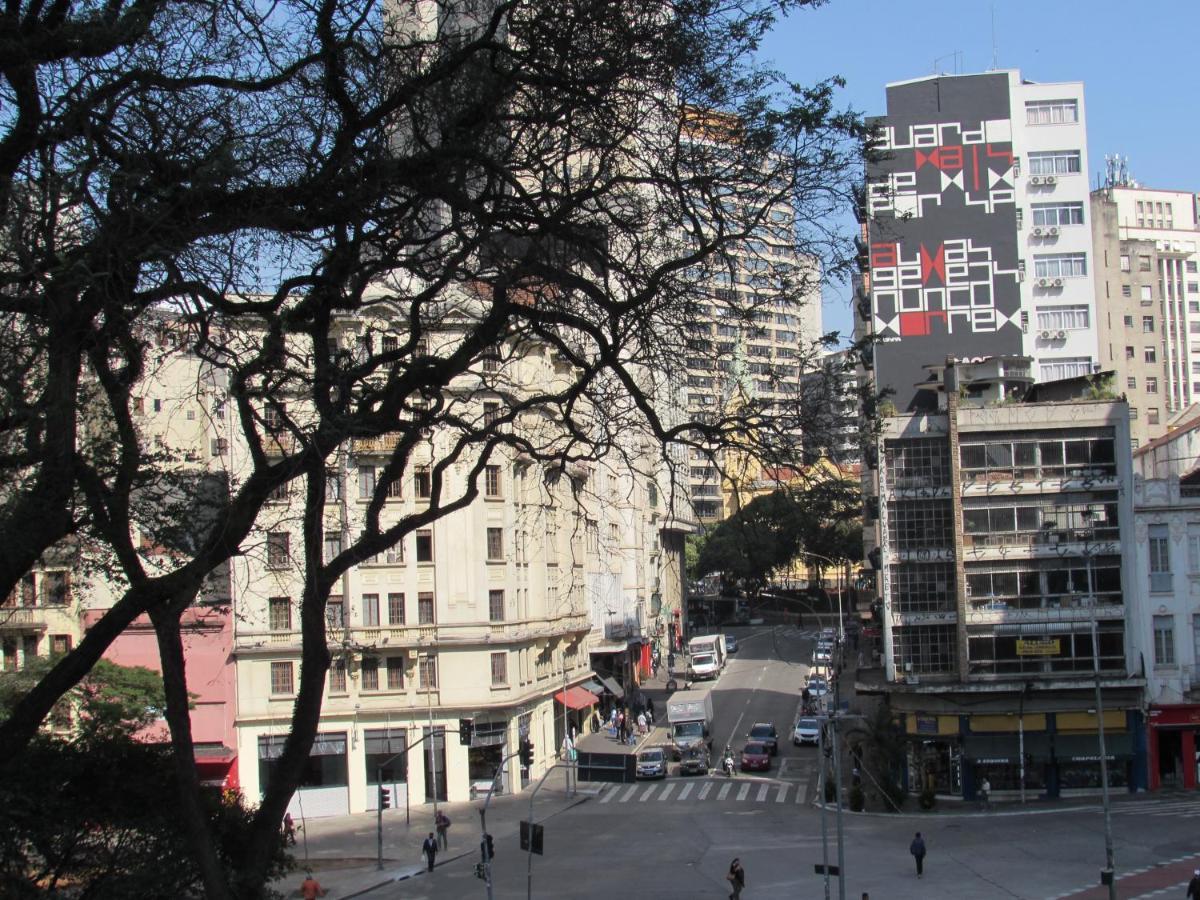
{"points": [[341, 851]]}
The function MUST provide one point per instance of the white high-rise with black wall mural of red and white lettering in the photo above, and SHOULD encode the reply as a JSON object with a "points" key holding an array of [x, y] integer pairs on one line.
{"points": [[975, 235]]}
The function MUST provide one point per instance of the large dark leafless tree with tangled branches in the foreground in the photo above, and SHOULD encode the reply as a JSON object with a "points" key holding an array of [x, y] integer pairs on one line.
{"points": [[476, 181]]}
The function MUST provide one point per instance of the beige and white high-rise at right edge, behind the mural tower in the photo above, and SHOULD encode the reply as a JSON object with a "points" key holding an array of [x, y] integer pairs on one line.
{"points": [[1148, 290]]}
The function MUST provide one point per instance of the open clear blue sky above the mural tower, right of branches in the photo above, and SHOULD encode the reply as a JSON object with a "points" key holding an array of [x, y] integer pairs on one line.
{"points": [[1138, 63]]}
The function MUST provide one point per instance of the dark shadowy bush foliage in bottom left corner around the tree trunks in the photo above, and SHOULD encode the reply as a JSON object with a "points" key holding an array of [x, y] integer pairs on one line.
{"points": [[100, 819]]}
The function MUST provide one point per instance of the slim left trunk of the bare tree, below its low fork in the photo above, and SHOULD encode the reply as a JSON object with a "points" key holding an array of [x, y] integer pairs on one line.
{"points": [[175, 680]]}
